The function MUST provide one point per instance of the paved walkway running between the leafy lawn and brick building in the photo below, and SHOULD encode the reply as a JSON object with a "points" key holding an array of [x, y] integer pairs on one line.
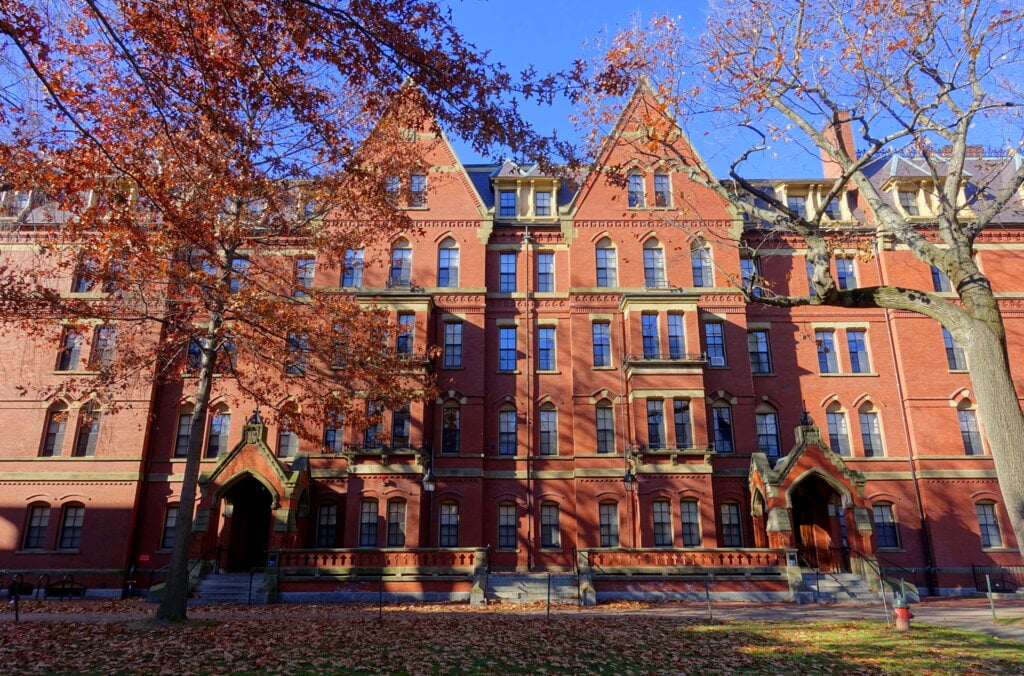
{"points": [[970, 614]]}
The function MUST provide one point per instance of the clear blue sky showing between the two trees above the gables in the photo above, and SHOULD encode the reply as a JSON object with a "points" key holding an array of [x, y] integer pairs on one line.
{"points": [[550, 35]]}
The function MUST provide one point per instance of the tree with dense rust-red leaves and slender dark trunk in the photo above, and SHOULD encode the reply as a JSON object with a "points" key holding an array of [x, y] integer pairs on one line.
{"points": [[191, 164]]}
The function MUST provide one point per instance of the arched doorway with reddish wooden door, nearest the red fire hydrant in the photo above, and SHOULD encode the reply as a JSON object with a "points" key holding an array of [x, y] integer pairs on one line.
{"points": [[819, 526]]}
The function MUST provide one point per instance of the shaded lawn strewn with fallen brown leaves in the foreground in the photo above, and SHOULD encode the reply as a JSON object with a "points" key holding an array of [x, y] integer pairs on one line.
{"points": [[459, 640]]}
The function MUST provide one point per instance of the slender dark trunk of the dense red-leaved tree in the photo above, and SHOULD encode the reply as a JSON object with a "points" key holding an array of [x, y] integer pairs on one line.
{"points": [[174, 607]]}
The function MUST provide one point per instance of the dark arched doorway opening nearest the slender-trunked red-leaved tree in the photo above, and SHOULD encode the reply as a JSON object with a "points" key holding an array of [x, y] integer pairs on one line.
{"points": [[246, 532]]}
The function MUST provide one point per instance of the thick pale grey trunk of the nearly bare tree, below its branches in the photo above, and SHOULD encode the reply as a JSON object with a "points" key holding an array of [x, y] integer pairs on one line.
{"points": [[1001, 413]]}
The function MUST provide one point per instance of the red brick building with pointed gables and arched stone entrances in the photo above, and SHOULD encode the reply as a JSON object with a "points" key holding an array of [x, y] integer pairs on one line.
{"points": [[611, 408]]}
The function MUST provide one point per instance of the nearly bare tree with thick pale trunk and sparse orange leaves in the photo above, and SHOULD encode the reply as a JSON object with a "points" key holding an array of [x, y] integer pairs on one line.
{"points": [[930, 80]]}
